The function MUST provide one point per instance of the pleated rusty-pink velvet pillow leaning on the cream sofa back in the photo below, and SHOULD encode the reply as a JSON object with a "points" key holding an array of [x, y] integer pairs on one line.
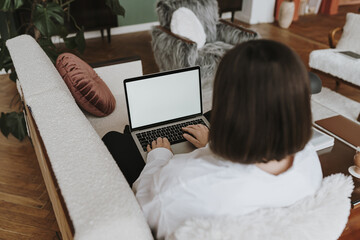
{"points": [[88, 89]]}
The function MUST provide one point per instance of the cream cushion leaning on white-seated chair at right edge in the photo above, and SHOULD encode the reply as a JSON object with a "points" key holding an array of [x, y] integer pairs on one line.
{"points": [[350, 39]]}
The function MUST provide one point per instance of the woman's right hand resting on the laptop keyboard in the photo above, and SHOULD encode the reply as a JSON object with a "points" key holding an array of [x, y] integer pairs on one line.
{"points": [[200, 135]]}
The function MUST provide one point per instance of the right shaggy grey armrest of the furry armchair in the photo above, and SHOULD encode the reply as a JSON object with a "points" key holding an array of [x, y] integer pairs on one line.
{"points": [[234, 34]]}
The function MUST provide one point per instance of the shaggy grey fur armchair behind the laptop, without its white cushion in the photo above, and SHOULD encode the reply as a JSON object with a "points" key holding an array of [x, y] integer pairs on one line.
{"points": [[172, 51]]}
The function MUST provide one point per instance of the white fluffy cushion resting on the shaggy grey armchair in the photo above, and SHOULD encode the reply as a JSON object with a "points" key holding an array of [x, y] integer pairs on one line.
{"points": [[186, 24]]}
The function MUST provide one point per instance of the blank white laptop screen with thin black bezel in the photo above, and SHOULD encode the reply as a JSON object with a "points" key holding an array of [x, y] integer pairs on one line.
{"points": [[162, 97]]}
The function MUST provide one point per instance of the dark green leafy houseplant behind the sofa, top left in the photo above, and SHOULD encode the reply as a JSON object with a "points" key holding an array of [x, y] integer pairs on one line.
{"points": [[43, 20]]}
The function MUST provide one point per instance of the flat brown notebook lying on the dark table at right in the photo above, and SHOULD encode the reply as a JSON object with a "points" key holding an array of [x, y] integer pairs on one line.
{"points": [[341, 128]]}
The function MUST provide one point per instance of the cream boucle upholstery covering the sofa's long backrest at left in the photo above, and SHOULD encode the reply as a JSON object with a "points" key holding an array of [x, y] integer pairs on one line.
{"points": [[99, 200]]}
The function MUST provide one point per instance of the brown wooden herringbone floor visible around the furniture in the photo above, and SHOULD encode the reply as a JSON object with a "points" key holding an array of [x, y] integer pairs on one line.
{"points": [[25, 209]]}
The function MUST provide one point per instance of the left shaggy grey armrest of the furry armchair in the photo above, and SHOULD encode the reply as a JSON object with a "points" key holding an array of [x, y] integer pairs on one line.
{"points": [[172, 51]]}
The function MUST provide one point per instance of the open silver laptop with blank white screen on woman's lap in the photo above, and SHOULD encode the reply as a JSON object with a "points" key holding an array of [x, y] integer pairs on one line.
{"points": [[160, 104]]}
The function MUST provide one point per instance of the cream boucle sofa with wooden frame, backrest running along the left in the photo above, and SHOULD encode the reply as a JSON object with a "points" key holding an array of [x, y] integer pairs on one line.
{"points": [[90, 196]]}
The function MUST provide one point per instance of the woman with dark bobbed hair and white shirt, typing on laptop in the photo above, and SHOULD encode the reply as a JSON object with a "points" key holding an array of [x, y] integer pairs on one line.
{"points": [[256, 154]]}
